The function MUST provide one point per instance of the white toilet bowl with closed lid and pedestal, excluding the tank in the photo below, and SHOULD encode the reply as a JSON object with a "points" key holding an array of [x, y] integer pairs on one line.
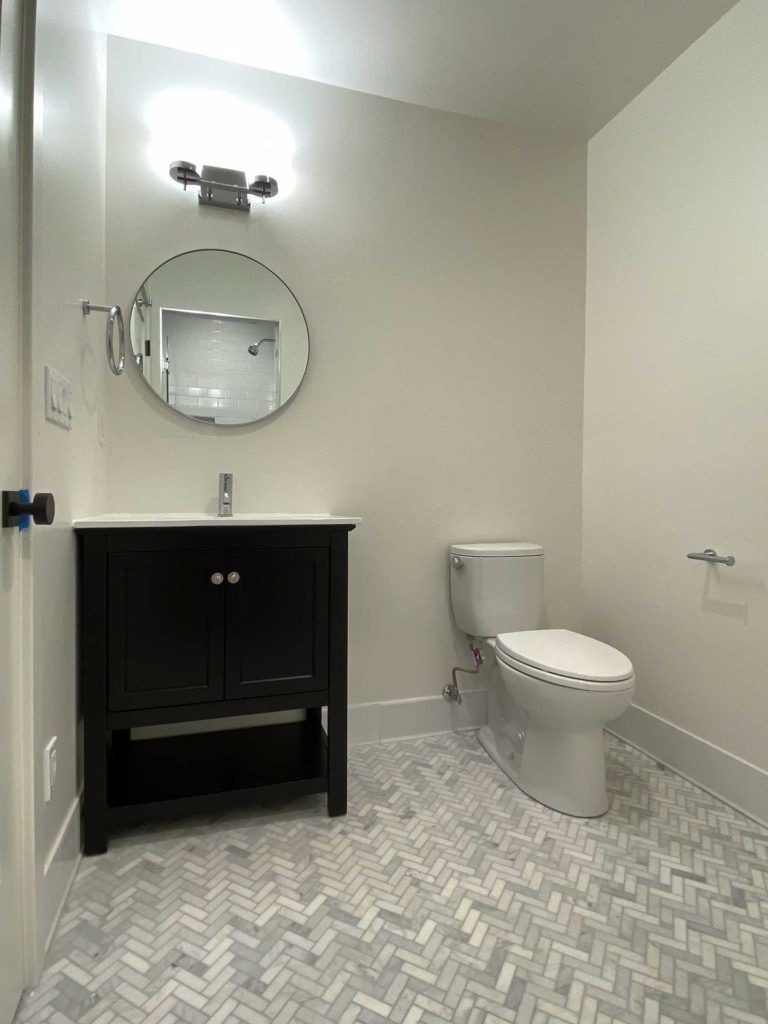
{"points": [[545, 732]]}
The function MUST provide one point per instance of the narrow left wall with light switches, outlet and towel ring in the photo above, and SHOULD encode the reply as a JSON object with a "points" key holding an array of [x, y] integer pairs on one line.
{"points": [[65, 263]]}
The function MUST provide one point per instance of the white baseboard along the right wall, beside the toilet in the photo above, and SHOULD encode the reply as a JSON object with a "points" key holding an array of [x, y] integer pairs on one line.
{"points": [[743, 786]]}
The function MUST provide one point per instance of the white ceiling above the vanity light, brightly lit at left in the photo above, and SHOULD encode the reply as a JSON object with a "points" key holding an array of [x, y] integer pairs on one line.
{"points": [[554, 66]]}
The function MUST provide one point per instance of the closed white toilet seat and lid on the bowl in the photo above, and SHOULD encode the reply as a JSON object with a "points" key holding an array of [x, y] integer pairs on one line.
{"points": [[566, 659]]}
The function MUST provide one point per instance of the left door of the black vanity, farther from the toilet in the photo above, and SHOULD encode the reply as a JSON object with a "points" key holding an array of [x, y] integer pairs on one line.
{"points": [[166, 629]]}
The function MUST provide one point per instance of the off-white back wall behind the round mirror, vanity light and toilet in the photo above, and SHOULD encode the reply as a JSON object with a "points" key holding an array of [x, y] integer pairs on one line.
{"points": [[440, 262]]}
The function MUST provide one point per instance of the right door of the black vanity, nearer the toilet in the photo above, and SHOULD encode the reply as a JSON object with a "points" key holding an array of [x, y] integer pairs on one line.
{"points": [[277, 622]]}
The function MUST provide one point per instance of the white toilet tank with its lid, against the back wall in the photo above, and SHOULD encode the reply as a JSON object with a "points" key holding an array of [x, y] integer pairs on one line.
{"points": [[497, 588]]}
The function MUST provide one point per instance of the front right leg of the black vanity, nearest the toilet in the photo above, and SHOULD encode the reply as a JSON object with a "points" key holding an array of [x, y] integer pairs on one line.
{"points": [[337, 685]]}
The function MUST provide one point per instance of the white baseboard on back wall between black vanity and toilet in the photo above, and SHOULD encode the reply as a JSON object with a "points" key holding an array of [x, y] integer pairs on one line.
{"points": [[371, 723]]}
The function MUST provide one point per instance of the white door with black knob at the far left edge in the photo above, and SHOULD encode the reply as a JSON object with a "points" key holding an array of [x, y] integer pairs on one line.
{"points": [[12, 963]]}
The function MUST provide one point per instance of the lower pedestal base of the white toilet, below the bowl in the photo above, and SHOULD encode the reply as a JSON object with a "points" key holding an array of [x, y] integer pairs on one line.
{"points": [[549, 773]]}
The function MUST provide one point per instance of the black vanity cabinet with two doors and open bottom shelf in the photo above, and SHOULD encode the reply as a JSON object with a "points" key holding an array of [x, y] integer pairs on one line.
{"points": [[193, 624]]}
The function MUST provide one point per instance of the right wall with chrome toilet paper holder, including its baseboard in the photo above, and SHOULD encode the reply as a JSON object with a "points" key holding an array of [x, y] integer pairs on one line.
{"points": [[676, 419]]}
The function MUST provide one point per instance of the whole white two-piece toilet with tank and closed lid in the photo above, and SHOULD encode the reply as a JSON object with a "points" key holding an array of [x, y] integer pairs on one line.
{"points": [[554, 690]]}
